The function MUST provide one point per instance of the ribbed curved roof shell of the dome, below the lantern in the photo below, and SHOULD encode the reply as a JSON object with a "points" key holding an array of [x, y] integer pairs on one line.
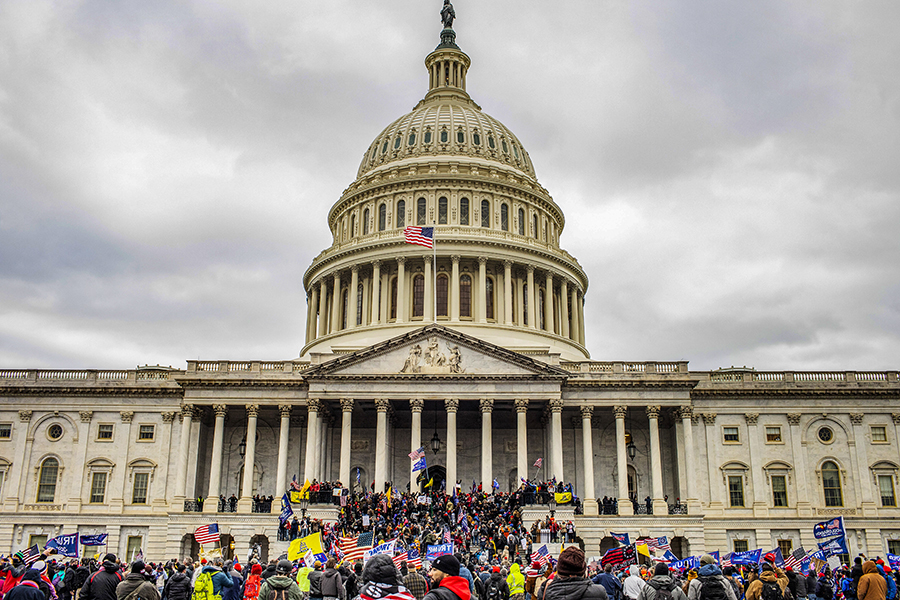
{"points": [[443, 127]]}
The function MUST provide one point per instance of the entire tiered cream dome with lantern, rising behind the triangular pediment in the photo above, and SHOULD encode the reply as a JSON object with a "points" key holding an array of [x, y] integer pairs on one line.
{"points": [[496, 272]]}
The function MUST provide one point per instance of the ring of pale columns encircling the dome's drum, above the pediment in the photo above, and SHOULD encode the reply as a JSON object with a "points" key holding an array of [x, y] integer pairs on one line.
{"points": [[325, 299]]}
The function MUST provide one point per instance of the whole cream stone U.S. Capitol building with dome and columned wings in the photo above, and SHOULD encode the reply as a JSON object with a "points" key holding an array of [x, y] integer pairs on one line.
{"points": [[477, 345]]}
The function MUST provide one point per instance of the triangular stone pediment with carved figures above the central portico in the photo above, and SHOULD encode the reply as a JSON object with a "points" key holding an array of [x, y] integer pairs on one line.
{"points": [[435, 350]]}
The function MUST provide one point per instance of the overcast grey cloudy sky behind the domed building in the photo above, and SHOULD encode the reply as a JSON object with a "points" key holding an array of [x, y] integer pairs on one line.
{"points": [[730, 171]]}
